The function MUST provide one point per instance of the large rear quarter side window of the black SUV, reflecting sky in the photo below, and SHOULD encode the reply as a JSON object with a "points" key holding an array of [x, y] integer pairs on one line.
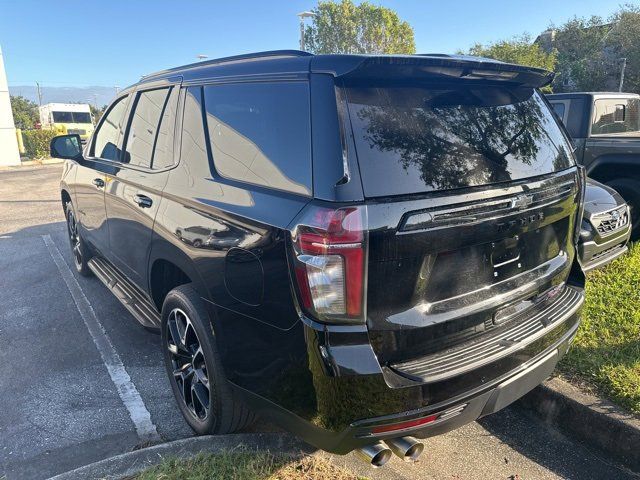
{"points": [[260, 133]]}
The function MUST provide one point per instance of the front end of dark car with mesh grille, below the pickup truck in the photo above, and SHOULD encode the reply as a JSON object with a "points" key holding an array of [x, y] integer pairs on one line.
{"points": [[606, 227]]}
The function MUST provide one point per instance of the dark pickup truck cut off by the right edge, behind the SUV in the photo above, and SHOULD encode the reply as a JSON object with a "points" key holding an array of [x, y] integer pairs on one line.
{"points": [[605, 128]]}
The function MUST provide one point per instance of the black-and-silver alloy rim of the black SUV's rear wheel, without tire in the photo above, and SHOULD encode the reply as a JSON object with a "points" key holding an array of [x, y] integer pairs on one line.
{"points": [[189, 364]]}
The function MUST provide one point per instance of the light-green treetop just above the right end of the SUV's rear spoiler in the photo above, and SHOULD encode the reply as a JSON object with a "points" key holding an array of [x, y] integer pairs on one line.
{"points": [[520, 50]]}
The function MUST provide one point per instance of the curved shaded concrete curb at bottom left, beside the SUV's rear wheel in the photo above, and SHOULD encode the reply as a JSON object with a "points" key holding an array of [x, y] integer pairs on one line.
{"points": [[131, 463]]}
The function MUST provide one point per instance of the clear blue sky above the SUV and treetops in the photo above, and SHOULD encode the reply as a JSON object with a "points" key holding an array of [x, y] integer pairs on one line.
{"points": [[112, 43]]}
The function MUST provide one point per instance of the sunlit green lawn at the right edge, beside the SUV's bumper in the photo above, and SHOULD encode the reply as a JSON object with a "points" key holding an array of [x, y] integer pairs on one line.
{"points": [[605, 356]]}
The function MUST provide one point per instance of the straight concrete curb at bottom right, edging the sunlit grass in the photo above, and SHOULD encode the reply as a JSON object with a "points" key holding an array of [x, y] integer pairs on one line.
{"points": [[593, 420]]}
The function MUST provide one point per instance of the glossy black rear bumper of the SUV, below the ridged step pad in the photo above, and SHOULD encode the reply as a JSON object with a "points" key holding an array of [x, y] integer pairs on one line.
{"points": [[351, 394]]}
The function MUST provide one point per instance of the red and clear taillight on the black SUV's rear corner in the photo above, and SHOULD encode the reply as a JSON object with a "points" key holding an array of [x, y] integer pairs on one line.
{"points": [[329, 250]]}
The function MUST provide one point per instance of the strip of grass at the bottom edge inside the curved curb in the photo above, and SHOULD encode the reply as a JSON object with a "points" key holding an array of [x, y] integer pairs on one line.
{"points": [[246, 465]]}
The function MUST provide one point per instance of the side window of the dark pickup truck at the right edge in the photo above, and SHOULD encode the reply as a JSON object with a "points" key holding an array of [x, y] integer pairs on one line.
{"points": [[616, 117]]}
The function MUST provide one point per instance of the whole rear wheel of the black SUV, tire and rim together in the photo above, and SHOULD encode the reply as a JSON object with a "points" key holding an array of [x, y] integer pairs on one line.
{"points": [[194, 368]]}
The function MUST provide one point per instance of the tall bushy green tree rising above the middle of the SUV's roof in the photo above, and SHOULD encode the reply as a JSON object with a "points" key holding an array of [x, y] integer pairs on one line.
{"points": [[365, 28]]}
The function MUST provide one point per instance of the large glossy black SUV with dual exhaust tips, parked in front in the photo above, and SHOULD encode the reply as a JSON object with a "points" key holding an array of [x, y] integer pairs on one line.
{"points": [[362, 249]]}
